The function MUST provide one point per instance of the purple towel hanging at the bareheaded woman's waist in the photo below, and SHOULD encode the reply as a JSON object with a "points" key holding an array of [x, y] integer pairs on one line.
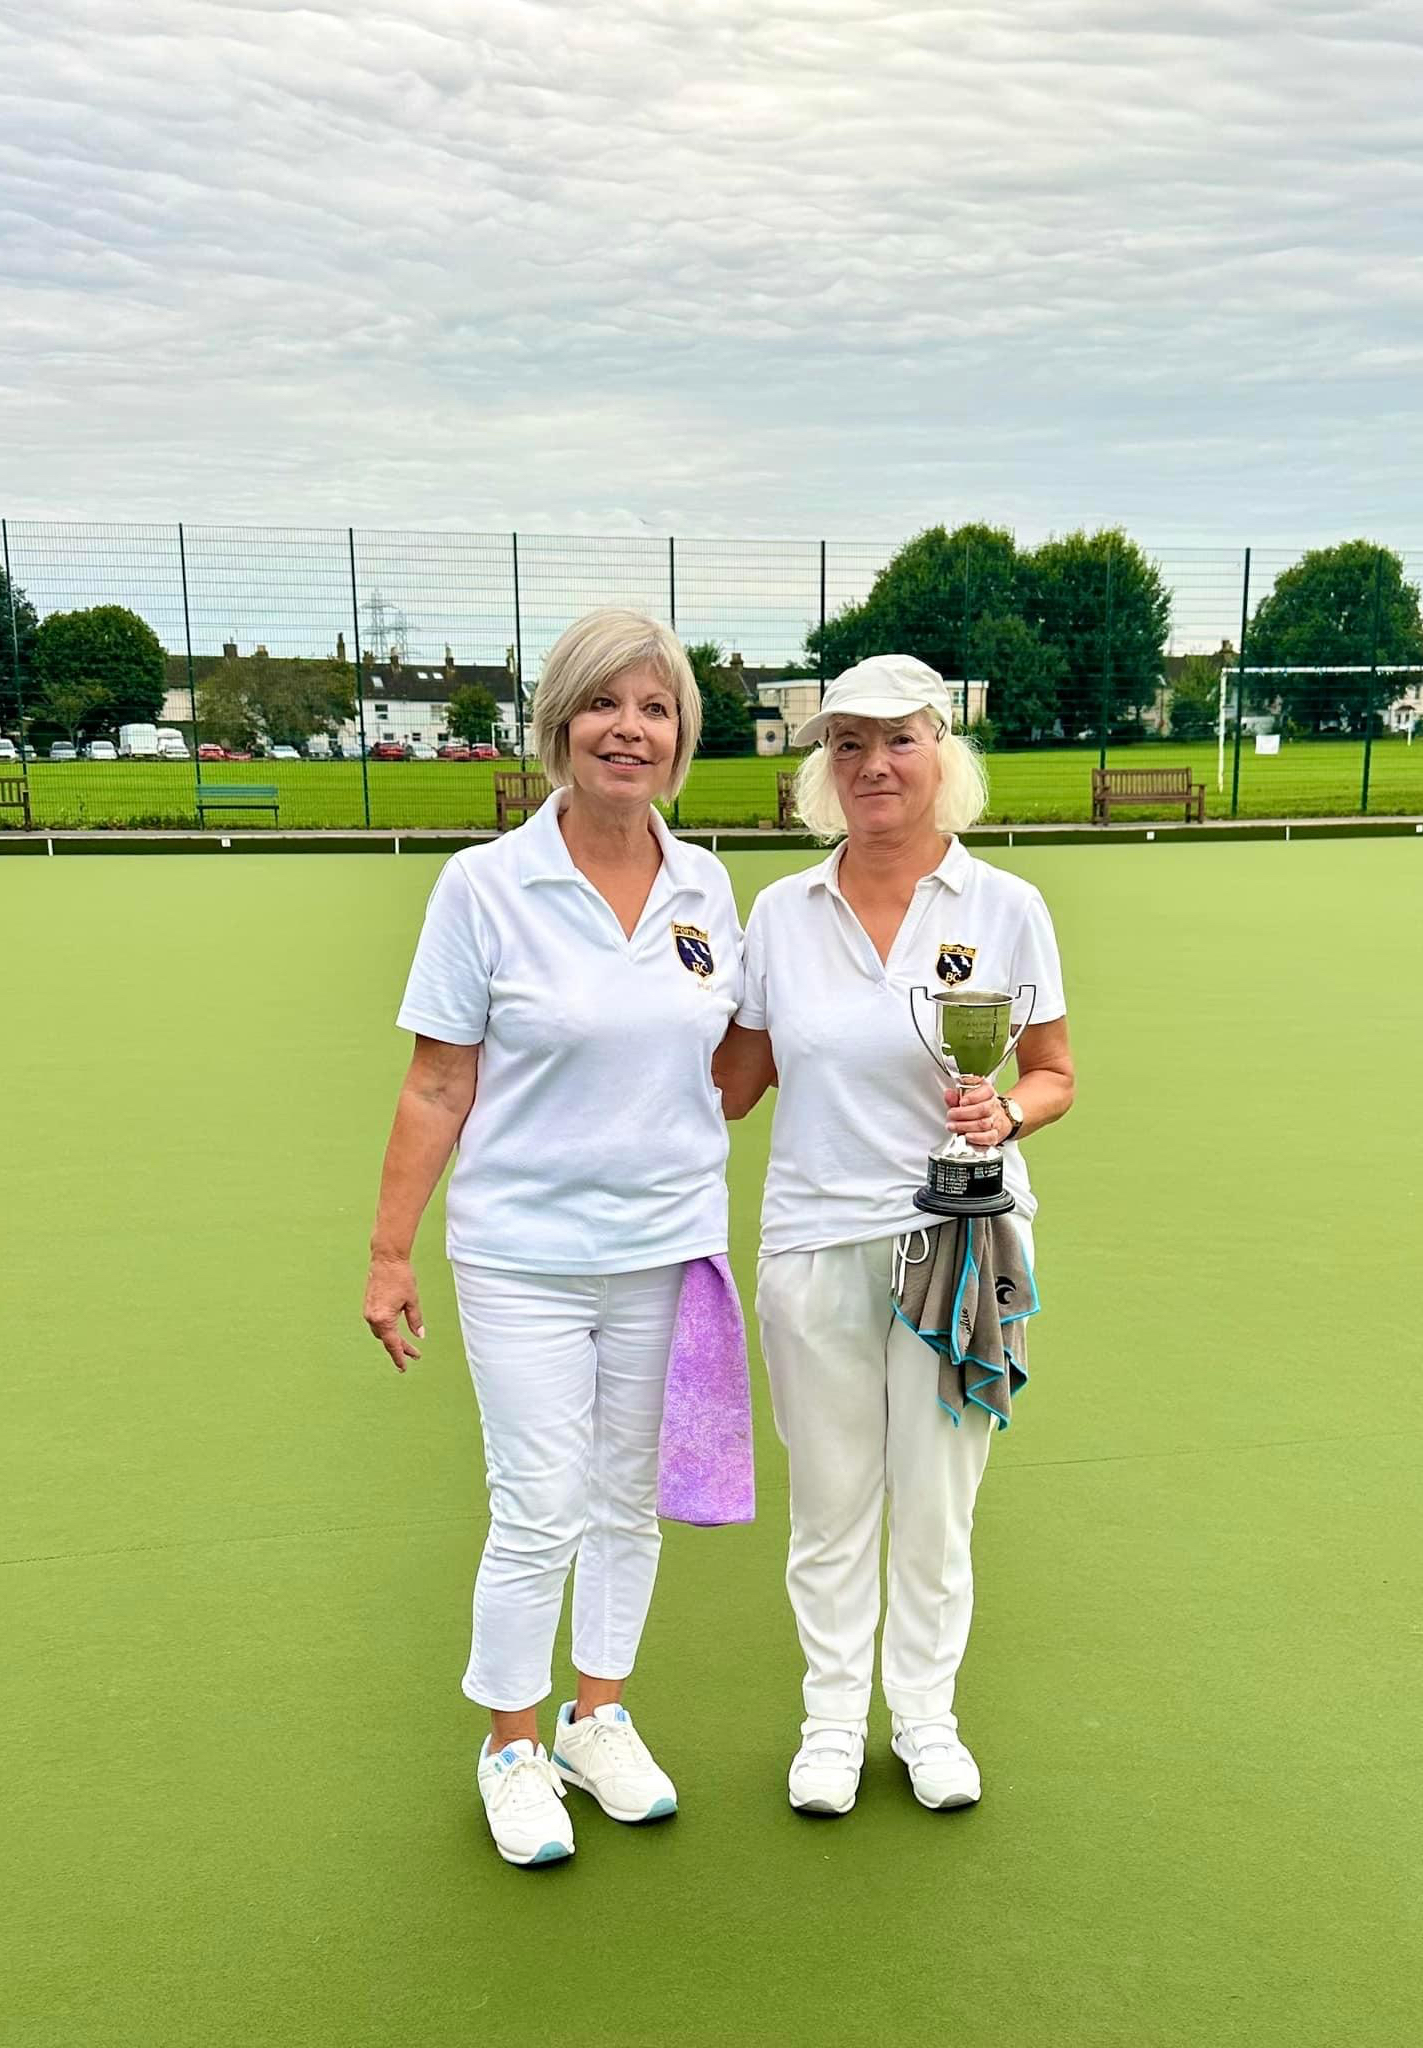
{"points": [[705, 1471]]}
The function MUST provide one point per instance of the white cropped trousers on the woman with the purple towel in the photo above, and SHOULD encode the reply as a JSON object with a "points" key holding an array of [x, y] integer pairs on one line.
{"points": [[570, 1377]]}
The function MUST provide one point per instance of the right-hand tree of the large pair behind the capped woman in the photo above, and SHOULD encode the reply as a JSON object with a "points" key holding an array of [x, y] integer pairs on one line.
{"points": [[1068, 603]]}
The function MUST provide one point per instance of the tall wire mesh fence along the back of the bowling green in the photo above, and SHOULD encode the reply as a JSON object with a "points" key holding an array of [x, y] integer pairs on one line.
{"points": [[312, 679]]}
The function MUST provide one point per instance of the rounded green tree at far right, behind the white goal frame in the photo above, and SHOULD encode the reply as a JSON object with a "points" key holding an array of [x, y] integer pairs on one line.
{"points": [[1324, 611]]}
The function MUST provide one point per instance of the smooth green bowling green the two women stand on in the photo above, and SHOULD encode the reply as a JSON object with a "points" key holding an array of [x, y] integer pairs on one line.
{"points": [[239, 1547]]}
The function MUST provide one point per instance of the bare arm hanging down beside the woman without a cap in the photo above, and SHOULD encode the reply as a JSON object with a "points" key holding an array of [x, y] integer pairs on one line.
{"points": [[435, 1101]]}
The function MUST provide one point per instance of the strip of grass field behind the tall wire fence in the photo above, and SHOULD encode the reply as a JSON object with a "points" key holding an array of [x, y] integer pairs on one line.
{"points": [[1307, 779]]}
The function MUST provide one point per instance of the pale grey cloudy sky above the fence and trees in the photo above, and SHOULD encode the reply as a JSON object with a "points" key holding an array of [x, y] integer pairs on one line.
{"points": [[716, 267]]}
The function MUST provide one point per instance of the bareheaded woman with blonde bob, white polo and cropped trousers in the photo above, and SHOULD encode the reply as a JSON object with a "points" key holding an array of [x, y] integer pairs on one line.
{"points": [[570, 986]]}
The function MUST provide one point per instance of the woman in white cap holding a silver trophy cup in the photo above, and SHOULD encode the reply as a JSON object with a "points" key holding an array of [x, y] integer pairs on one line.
{"points": [[830, 962]]}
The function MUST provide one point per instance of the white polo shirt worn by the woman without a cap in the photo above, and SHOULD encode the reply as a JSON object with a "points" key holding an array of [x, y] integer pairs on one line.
{"points": [[597, 1140]]}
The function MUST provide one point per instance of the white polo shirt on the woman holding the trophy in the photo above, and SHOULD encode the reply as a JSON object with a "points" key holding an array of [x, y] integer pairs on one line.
{"points": [[861, 1105]]}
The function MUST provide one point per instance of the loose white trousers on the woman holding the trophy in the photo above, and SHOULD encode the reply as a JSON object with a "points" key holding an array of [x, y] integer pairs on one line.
{"points": [[857, 1406]]}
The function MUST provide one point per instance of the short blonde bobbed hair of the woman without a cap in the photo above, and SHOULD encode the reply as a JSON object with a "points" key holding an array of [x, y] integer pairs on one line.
{"points": [[587, 658]]}
